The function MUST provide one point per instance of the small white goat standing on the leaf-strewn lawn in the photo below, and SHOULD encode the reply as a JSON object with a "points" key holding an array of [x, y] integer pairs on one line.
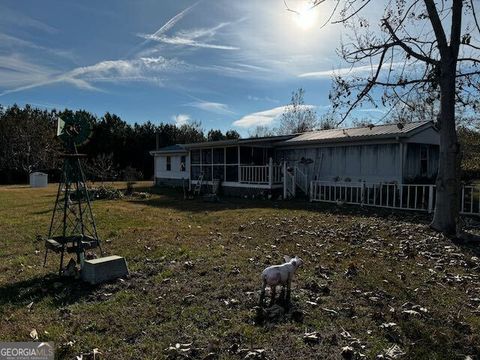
{"points": [[279, 275]]}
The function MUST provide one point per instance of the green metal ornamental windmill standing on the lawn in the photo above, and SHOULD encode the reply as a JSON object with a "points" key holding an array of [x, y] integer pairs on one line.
{"points": [[72, 228]]}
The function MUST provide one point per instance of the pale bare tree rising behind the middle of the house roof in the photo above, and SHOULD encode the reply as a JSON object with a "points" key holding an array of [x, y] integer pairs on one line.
{"points": [[297, 117]]}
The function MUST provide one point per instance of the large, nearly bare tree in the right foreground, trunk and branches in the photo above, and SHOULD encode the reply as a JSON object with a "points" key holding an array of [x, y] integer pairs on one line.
{"points": [[420, 46]]}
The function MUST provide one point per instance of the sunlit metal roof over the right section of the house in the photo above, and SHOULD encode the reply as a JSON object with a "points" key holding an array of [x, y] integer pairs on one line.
{"points": [[358, 133]]}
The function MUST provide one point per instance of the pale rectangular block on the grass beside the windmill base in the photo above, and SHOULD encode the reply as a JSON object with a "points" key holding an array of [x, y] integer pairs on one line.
{"points": [[104, 269]]}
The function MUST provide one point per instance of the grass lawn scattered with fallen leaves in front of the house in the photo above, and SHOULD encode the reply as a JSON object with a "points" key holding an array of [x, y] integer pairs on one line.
{"points": [[195, 270]]}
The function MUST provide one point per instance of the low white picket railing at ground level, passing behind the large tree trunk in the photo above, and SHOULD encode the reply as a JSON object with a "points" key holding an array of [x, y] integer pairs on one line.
{"points": [[395, 196]]}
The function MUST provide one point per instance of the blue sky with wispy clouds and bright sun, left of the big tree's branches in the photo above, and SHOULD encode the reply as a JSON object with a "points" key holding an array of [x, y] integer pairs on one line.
{"points": [[228, 64]]}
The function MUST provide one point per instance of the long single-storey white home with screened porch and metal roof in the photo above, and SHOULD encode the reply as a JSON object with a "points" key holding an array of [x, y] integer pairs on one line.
{"points": [[388, 154]]}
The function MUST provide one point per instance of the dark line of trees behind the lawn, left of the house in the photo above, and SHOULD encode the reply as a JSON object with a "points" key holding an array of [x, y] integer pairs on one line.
{"points": [[117, 150]]}
